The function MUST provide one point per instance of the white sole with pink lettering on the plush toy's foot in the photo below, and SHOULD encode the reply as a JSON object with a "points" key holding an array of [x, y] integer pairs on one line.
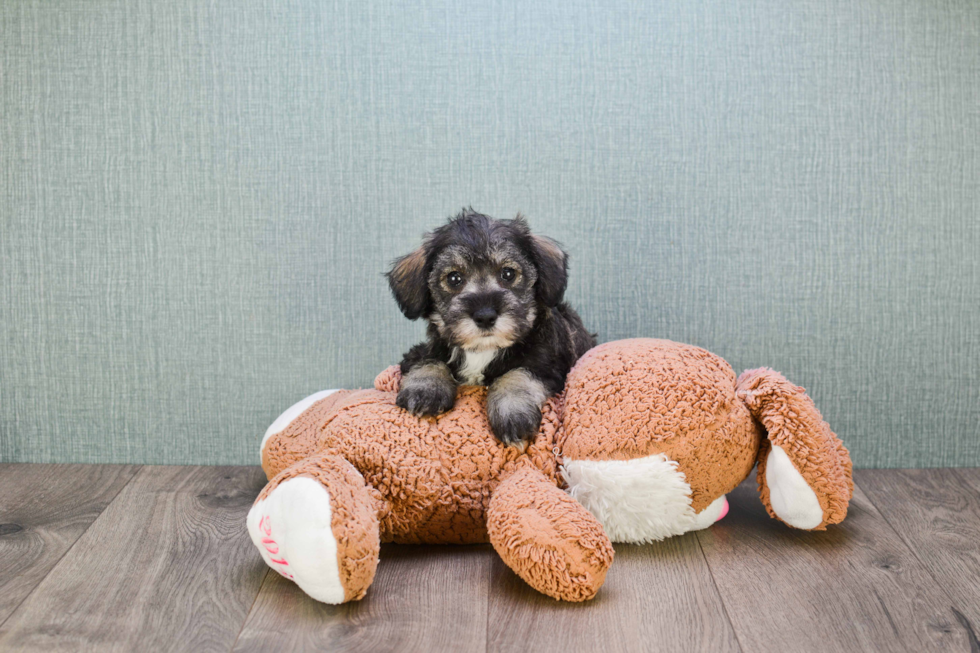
{"points": [[292, 530]]}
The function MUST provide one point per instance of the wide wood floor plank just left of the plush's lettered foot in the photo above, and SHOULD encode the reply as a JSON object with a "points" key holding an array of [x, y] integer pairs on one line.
{"points": [[167, 566]]}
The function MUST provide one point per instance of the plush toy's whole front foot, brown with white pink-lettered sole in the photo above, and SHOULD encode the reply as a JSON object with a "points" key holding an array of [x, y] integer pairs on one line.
{"points": [[317, 526]]}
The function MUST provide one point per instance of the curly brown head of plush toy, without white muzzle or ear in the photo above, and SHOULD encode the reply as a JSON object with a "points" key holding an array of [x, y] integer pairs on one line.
{"points": [[634, 398]]}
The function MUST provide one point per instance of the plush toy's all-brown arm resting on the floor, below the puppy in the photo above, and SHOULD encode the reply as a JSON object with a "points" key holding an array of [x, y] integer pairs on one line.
{"points": [[548, 538]]}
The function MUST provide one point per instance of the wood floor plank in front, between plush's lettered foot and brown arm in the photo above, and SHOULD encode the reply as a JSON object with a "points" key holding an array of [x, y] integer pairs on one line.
{"points": [[424, 598]]}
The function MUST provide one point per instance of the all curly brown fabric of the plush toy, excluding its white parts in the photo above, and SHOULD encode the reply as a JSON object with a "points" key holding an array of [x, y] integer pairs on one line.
{"points": [[446, 479]]}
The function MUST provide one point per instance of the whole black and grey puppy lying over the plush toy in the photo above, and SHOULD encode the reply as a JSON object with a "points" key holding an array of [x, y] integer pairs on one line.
{"points": [[492, 294]]}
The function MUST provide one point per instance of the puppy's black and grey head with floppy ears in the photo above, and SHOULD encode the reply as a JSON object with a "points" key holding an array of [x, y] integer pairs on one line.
{"points": [[481, 282]]}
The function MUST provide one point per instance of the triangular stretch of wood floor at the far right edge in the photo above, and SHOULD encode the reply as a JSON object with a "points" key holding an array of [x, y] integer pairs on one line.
{"points": [[936, 512]]}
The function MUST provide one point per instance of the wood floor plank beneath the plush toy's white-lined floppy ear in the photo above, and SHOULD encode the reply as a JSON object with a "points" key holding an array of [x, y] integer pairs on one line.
{"points": [[853, 587]]}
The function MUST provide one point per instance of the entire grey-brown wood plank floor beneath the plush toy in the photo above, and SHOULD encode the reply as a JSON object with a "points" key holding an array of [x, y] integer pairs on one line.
{"points": [[104, 557]]}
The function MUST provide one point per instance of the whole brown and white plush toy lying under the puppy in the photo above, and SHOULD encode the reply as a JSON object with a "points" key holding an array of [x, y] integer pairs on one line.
{"points": [[644, 443]]}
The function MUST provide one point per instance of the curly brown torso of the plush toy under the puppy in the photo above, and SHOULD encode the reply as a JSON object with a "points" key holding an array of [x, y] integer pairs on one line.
{"points": [[436, 474]]}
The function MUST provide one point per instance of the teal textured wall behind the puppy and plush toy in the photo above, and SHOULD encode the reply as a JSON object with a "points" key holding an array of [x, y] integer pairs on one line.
{"points": [[198, 200]]}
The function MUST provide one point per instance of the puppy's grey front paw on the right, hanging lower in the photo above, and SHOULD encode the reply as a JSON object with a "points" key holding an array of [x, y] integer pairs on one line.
{"points": [[514, 407]]}
